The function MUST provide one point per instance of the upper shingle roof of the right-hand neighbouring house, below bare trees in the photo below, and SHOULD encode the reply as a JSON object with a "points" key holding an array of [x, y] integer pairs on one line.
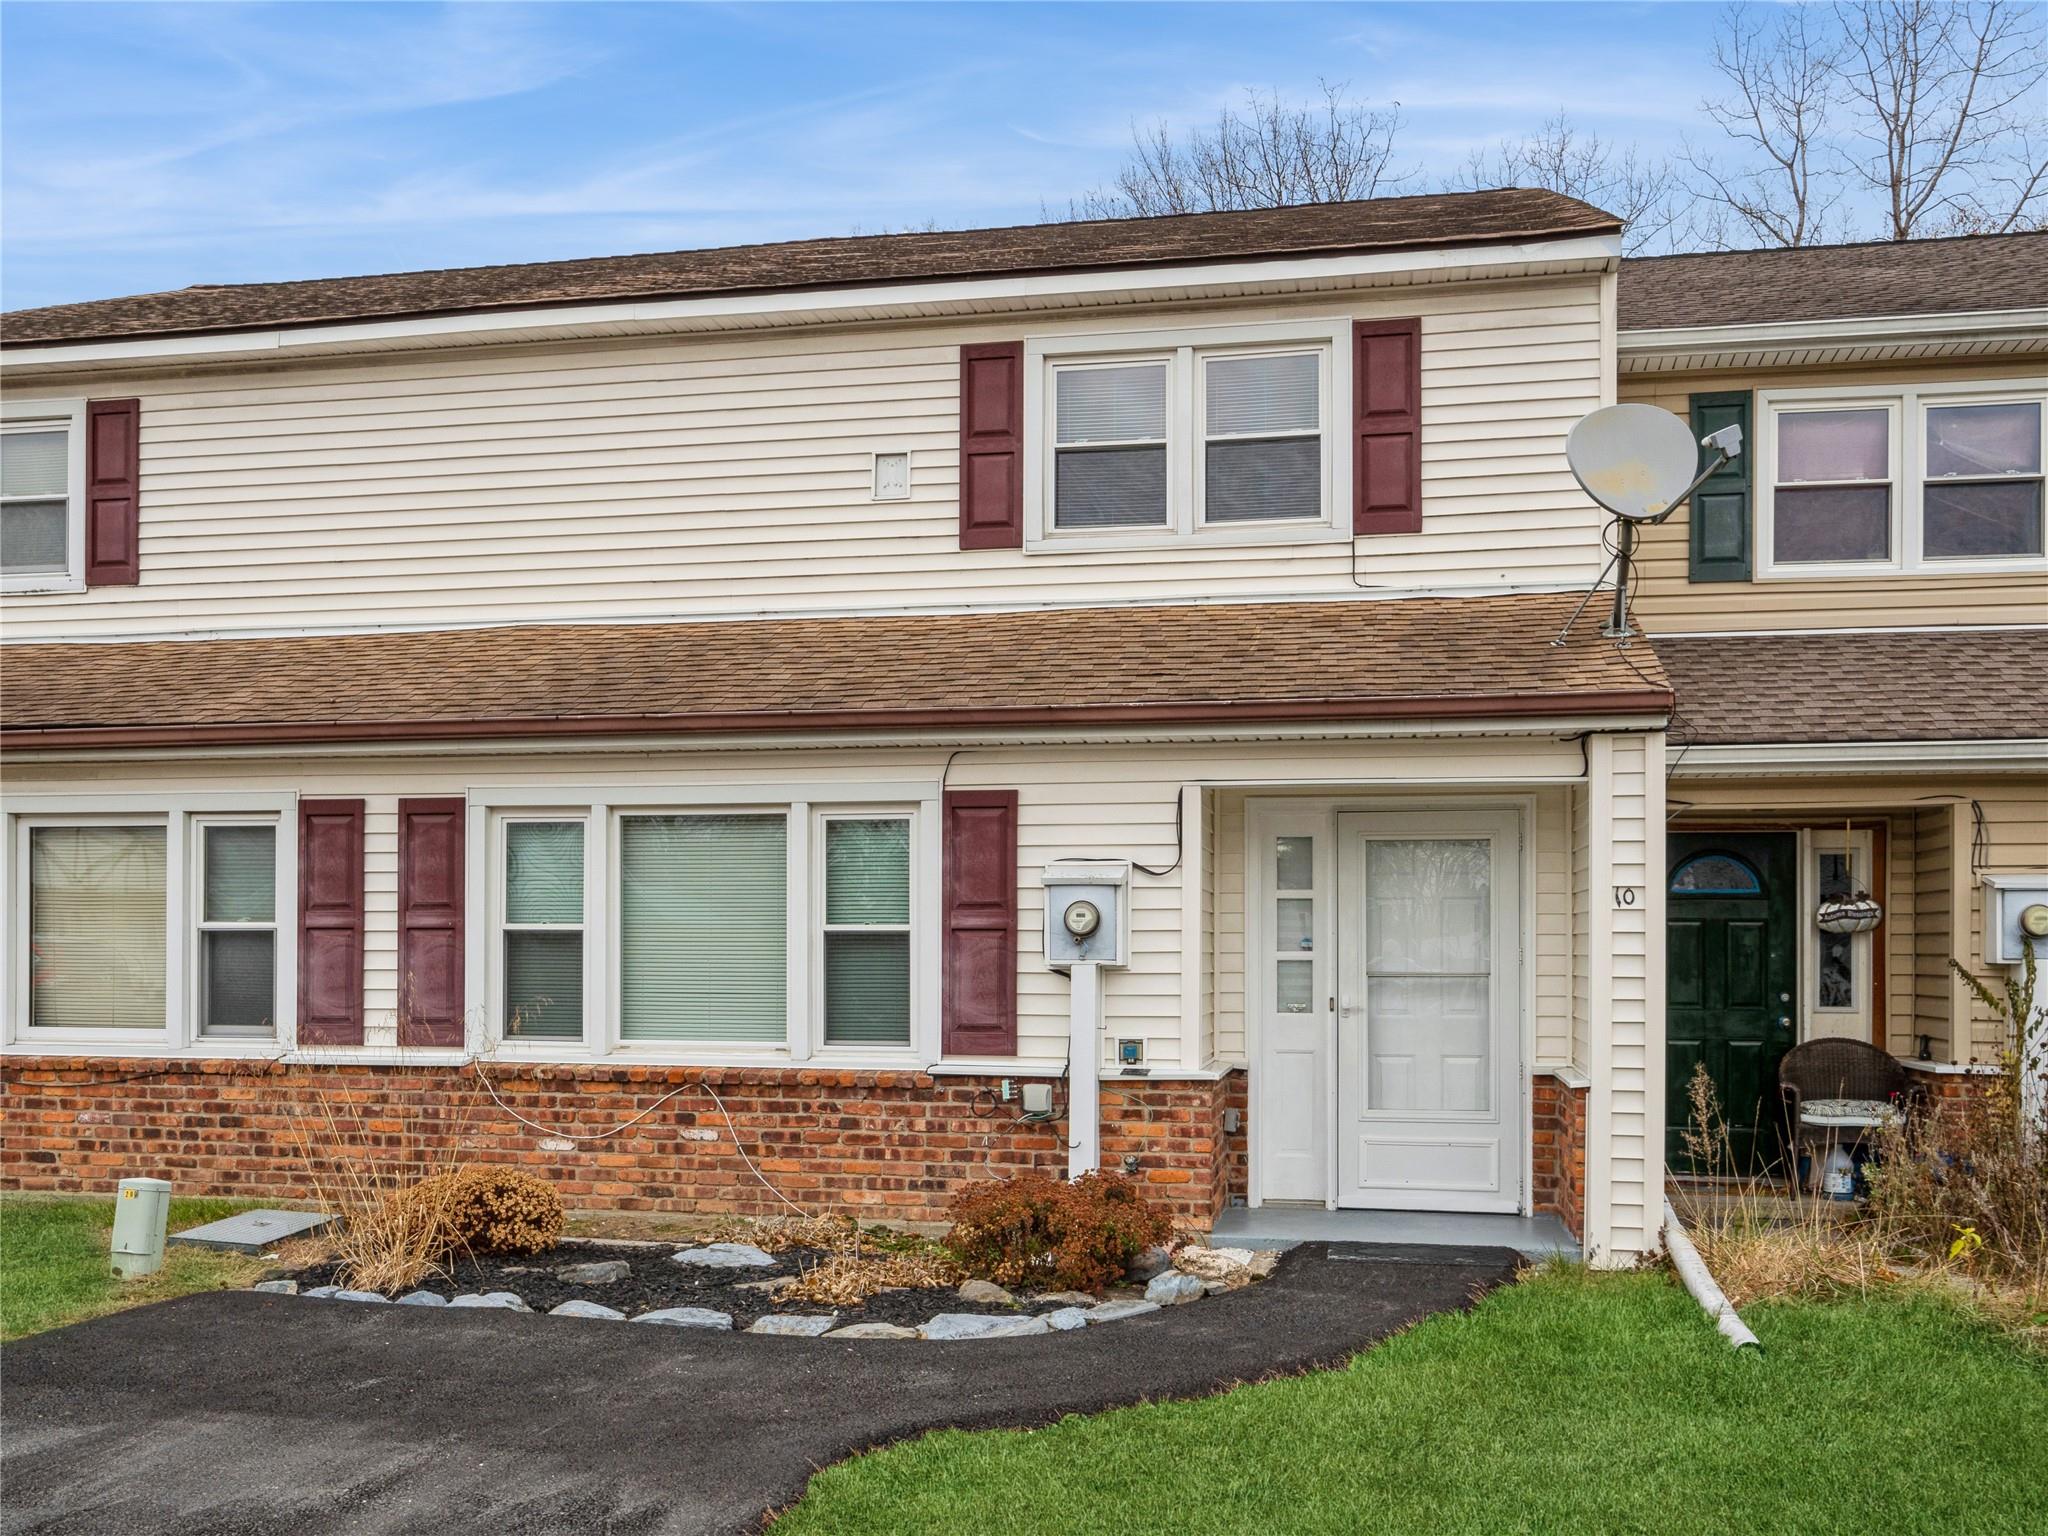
{"points": [[1893, 278]]}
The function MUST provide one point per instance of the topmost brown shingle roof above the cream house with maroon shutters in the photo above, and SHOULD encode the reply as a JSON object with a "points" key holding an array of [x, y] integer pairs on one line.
{"points": [[1377, 224]]}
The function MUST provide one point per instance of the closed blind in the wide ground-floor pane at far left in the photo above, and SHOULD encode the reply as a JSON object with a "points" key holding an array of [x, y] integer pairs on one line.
{"points": [[97, 929]]}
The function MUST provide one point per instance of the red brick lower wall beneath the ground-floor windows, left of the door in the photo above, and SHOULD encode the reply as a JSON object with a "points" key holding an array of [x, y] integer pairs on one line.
{"points": [[878, 1146]]}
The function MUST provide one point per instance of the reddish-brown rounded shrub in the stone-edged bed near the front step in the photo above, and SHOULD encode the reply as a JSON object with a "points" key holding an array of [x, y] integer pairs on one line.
{"points": [[1046, 1232]]}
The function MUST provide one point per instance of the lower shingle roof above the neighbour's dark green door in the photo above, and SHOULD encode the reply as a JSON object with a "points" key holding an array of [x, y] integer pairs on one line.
{"points": [[1910, 687]]}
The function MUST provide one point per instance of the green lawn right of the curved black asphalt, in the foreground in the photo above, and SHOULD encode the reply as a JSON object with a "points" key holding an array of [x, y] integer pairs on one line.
{"points": [[1566, 1404]]}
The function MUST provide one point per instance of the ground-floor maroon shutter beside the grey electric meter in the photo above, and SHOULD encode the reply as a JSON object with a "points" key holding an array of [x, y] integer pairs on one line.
{"points": [[982, 923]]}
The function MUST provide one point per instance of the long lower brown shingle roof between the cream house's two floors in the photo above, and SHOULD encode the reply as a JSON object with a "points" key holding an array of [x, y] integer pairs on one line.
{"points": [[1097, 667]]}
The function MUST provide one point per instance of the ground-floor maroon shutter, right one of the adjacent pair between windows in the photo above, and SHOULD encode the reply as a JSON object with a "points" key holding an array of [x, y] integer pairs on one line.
{"points": [[431, 876]]}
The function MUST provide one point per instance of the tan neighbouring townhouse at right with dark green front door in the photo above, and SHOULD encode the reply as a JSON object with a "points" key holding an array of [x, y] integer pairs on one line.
{"points": [[1857, 624]]}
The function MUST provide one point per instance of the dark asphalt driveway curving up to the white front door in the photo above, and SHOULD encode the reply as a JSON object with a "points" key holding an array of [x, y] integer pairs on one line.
{"points": [[237, 1414]]}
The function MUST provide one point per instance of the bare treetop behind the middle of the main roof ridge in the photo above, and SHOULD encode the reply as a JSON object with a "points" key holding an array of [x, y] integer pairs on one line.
{"points": [[1267, 155]]}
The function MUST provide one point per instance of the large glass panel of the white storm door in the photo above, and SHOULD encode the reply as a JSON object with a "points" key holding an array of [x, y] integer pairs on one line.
{"points": [[1431, 976]]}
